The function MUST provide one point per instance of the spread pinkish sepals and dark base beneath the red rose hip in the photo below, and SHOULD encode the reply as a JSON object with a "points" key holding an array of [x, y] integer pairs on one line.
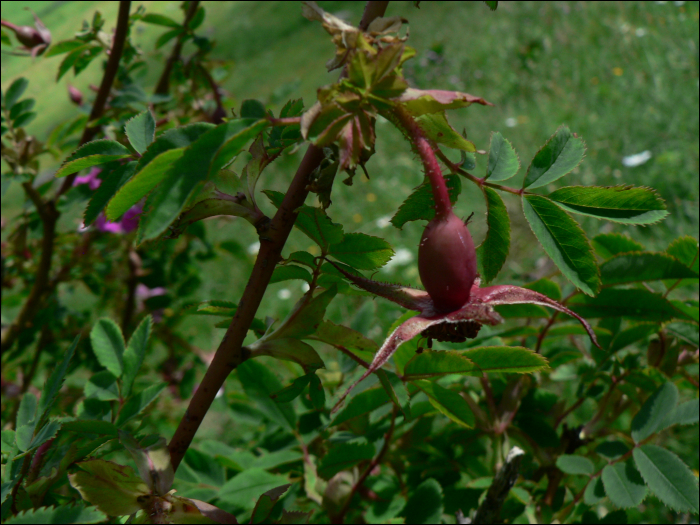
{"points": [[459, 324]]}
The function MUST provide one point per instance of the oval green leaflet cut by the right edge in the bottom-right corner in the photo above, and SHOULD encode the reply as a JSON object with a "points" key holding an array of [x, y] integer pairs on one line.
{"points": [[667, 477]]}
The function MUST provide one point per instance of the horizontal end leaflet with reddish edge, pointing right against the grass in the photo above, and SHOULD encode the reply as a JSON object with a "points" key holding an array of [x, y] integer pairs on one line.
{"points": [[624, 204]]}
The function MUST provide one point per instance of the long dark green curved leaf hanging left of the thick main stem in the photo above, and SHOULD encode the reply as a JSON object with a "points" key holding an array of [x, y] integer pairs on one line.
{"points": [[200, 161]]}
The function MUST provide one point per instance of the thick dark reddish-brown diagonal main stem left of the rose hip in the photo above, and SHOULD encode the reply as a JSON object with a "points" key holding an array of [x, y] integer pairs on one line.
{"points": [[230, 353]]}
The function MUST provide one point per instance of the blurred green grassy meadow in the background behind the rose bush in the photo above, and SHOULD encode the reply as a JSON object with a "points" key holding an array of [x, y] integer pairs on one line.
{"points": [[624, 76]]}
